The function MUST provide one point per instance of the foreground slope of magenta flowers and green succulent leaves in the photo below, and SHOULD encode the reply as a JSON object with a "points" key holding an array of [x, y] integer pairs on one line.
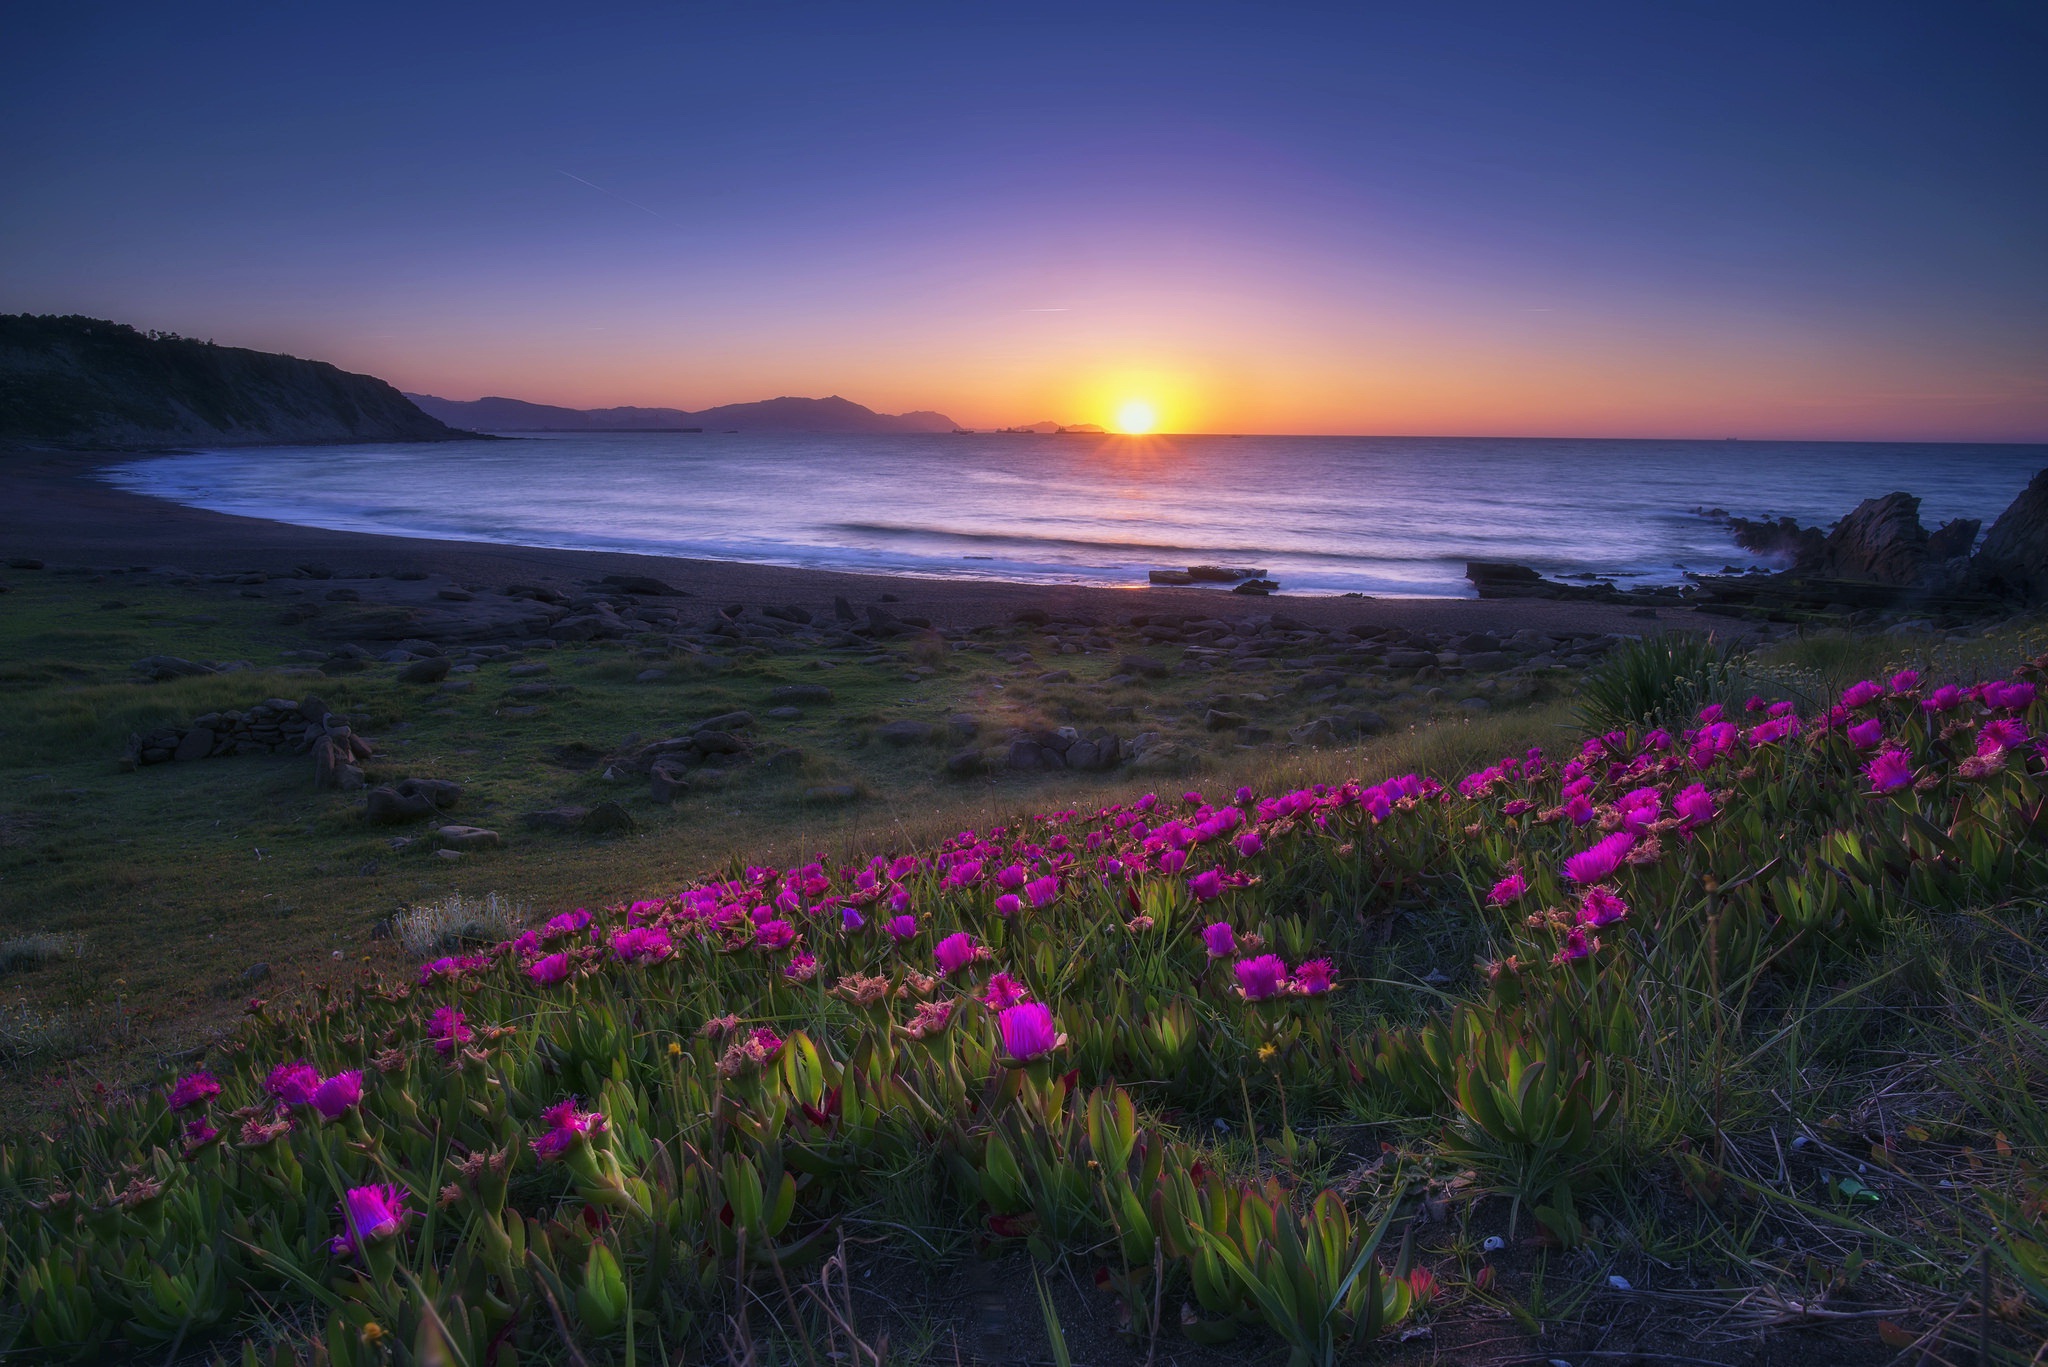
{"points": [[1756, 1020]]}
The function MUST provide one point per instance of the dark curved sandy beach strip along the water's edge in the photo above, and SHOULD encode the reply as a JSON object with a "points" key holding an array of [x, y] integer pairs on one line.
{"points": [[54, 509]]}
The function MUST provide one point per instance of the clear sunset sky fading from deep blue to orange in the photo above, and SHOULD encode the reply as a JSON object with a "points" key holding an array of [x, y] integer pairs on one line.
{"points": [[1578, 220]]}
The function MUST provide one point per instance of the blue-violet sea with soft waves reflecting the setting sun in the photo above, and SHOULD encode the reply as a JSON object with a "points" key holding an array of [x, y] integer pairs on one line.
{"points": [[1322, 515]]}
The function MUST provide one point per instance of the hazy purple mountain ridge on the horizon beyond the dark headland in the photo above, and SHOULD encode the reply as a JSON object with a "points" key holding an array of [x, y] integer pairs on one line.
{"points": [[785, 415]]}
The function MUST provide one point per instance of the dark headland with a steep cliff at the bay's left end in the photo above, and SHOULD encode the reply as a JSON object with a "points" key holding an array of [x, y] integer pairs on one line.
{"points": [[97, 384]]}
